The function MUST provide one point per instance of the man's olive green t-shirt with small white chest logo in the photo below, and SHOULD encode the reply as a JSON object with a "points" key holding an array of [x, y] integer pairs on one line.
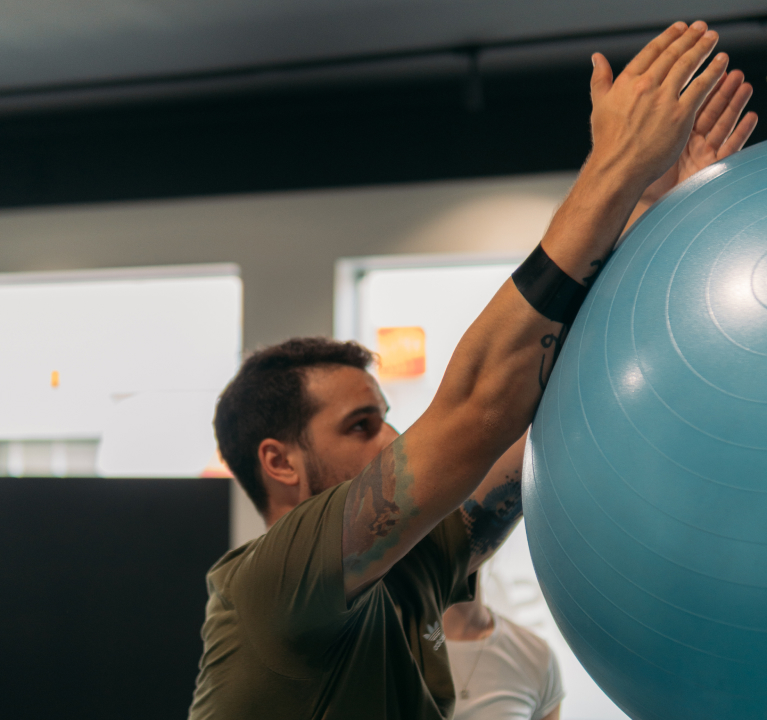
{"points": [[281, 643]]}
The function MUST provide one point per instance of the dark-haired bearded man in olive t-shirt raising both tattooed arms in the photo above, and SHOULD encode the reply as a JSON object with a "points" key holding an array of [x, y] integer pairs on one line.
{"points": [[335, 612]]}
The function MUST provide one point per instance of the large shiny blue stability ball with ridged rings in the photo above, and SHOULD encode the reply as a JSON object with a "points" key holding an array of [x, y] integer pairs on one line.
{"points": [[645, 481]]}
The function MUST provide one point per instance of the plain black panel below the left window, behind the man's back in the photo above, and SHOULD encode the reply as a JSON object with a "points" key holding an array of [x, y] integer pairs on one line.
{"points": [[103, 594]]}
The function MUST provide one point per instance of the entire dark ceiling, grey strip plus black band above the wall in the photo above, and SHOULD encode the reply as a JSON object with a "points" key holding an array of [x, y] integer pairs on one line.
{"points": [[138, 99]]}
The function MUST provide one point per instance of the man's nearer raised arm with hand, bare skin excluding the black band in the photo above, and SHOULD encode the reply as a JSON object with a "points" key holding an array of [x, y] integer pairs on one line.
{"points": [[640, 123]]}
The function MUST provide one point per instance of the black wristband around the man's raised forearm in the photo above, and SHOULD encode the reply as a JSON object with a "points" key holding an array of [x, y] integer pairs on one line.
{"points": [[552, 292]]}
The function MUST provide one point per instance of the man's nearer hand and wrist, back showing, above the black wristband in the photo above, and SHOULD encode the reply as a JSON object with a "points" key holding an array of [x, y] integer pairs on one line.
{"points": [[641, 122]]}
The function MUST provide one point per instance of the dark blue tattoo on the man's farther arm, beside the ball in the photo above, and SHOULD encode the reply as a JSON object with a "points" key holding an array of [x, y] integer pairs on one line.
{"points": [[488, 523]]}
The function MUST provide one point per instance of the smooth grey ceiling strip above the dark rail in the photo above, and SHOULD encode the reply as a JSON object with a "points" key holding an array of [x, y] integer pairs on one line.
{"points": [[60, 44]]}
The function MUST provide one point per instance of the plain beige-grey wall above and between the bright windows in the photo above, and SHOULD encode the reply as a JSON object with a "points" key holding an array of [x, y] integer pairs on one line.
{"points": [[285, 243]]}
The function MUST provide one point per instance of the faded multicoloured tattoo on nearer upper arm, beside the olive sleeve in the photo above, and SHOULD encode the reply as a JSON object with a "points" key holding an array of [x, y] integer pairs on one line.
{"points": [[378, 506]]}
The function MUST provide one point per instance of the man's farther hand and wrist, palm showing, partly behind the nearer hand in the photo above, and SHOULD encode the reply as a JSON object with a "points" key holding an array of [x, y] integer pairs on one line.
{"points": [[715, 135]]}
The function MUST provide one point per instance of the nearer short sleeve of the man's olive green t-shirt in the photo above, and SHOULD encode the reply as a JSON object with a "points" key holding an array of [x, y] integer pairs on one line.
{"points": [[288, 590]]}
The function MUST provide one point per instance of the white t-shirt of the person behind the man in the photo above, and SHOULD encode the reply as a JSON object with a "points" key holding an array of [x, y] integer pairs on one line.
{"points": [[512, 675]]}
